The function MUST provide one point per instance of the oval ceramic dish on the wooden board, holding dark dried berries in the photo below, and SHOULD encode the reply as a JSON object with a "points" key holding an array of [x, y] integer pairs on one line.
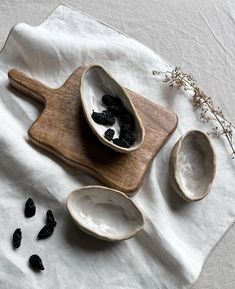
{"points": [[96, 82]]}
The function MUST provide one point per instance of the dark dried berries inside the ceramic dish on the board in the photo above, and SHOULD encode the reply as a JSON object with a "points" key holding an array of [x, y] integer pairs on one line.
{"points": [[115, 108]]}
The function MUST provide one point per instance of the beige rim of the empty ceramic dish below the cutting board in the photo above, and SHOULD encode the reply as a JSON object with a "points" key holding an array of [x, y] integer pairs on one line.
{"points": [[100, 236]]}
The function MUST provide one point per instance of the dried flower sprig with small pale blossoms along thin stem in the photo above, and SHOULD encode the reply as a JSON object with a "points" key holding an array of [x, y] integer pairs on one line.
{"points": [[208, 110]]}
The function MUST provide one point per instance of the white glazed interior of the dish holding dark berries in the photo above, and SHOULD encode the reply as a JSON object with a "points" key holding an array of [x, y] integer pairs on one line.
{"points": [[96, 83]]}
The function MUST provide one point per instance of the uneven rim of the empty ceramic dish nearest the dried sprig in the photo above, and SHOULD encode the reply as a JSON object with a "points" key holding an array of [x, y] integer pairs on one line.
{"points": [[176, 183]]}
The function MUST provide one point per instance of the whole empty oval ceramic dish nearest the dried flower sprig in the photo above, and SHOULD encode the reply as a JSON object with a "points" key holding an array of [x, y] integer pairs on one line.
{"points": [[192, 166]]}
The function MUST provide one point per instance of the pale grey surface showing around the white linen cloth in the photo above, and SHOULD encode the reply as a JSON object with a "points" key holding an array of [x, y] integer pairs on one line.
{"points": [[198, 36]]}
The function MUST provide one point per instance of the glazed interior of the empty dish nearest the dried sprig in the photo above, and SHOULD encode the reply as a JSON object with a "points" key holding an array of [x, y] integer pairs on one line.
{"points": [[195, 165]]}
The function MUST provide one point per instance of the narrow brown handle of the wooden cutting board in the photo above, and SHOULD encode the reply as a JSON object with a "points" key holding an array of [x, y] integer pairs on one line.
{"points": [[29, 86]]}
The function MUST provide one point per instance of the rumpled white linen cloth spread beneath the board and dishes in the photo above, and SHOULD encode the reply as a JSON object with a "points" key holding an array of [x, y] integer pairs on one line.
{"points": [[177, 238]]}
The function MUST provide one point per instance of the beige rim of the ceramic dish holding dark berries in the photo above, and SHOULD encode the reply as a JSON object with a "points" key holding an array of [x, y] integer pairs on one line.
{"points": [[89, 119]]}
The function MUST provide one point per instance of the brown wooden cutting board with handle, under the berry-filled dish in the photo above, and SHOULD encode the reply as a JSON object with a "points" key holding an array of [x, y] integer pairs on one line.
{"points": [[62, 130]]}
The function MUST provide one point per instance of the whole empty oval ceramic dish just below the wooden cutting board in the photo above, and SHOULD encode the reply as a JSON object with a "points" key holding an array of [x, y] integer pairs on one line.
{"points": [[105, 213]]}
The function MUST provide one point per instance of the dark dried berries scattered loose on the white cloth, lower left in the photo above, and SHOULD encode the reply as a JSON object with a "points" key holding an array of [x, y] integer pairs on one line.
{"points": [[35, 261]]}
